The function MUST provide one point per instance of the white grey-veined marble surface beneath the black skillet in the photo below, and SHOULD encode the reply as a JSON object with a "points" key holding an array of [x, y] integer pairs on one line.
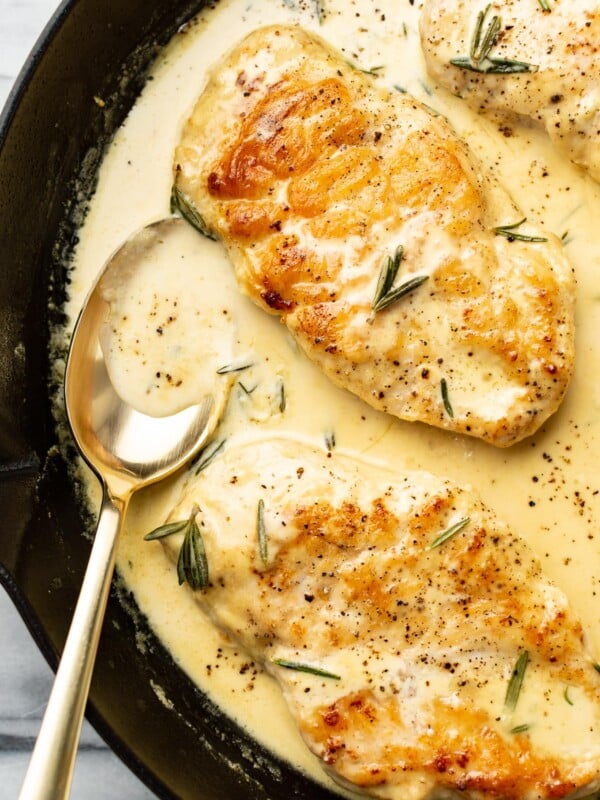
{"points": [[25, 678]]}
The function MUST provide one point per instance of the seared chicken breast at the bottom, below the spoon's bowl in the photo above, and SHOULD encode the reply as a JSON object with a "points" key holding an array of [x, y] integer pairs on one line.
{"points": [[420, 648]]}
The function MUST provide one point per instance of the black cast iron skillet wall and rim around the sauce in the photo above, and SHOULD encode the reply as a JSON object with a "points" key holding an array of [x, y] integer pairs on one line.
{"points": [[52, 134]]}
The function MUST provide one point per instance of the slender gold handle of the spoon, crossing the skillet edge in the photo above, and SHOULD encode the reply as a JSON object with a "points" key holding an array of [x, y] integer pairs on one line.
{"points": [[50, 770]]}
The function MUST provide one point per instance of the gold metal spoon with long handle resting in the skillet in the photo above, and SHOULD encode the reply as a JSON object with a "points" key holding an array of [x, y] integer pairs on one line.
{"points": [[127, 450]]}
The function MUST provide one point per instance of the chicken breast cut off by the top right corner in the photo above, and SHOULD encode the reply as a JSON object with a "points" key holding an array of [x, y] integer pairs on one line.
{"points": [[535, 58]]}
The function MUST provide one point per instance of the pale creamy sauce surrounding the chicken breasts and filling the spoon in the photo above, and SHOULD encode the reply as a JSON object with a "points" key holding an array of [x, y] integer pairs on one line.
{"points": [[547, 488]]}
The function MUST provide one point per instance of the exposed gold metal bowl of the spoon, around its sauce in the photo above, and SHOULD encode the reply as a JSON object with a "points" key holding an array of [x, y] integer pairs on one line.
{"points": [[124, 446]]}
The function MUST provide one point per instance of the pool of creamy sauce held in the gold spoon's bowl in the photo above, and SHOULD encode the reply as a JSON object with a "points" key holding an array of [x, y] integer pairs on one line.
{"points": [[167, 335]]}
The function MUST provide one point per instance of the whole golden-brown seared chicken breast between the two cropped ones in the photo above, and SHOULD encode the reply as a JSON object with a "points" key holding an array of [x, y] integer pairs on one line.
{"points": [[360, 218]]}
